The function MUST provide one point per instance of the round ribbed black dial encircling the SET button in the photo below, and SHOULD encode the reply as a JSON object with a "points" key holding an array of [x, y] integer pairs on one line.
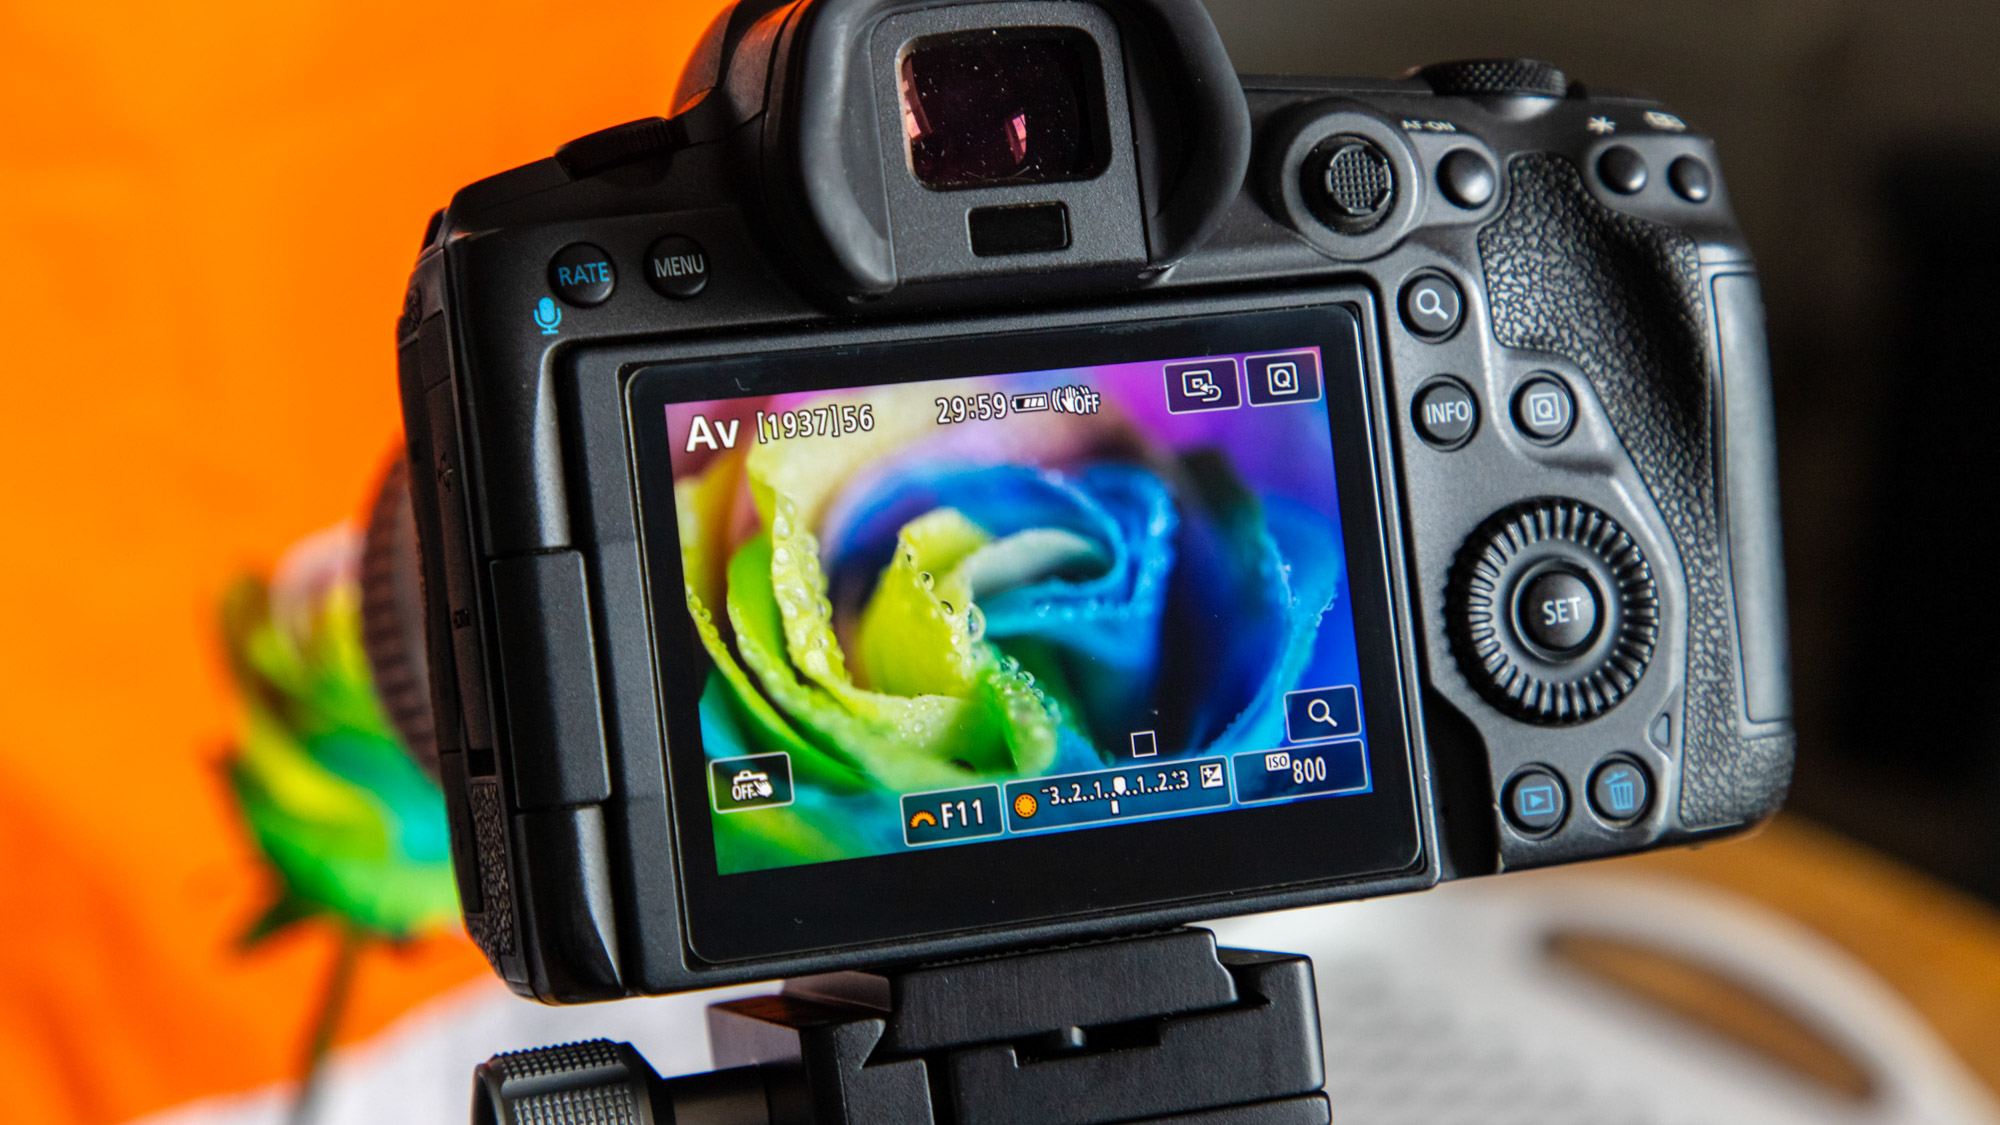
{"points": [[1553, 612]]}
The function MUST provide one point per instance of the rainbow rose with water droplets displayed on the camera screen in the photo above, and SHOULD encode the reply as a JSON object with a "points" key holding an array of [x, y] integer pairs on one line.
{"points": [[923, 608]]}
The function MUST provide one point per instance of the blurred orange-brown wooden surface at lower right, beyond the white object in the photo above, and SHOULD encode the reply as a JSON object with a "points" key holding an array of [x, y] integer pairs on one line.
{"points": [[1935, 946]]}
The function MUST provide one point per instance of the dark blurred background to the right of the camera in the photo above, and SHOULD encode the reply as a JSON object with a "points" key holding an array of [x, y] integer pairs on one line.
{"points": [[1861, 141]]}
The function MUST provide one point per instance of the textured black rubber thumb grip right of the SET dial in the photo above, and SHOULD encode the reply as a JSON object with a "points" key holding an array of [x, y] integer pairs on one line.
{"points": [[1623, 301]]}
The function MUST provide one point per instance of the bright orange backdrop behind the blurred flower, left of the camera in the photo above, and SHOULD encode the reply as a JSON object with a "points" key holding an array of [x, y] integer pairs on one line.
{"points": [[207, 217]]}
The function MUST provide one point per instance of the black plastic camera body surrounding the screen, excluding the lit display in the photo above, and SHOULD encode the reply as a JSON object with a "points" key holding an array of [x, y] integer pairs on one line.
{"points": [[1561, 431]]}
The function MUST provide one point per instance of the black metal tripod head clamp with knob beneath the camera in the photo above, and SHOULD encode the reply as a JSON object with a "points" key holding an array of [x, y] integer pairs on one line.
{"points": [[1159, 1030]]}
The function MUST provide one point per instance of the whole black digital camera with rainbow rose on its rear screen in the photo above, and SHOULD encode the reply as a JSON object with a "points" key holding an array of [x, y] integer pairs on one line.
{"points": [[985, 475]]}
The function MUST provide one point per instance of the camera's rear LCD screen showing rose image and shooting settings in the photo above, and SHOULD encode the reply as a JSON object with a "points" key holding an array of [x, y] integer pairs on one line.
{"points": [[957, 618]]}
